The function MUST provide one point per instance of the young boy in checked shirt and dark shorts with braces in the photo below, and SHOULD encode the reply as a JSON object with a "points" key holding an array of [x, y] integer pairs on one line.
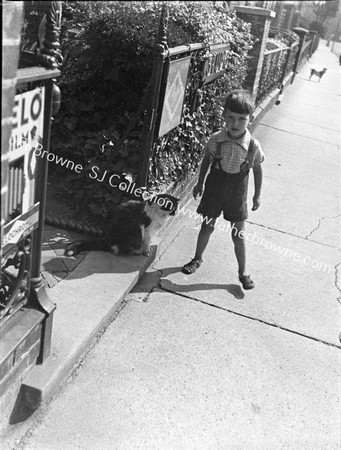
{"points": [[231, 153]]}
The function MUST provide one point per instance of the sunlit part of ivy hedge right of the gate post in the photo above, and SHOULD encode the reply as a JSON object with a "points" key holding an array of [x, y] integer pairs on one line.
{"points": [[177, 155]]}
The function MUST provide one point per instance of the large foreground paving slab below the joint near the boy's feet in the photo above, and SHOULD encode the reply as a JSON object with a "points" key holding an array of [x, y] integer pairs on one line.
{"points": [[173, 373]]}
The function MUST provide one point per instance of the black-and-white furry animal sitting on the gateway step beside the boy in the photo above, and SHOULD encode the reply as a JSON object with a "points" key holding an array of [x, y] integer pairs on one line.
{"points": [[132, 227]]}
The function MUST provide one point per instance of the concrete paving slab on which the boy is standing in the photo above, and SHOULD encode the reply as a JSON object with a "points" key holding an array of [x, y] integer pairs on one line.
{"points": [[290, 292]]}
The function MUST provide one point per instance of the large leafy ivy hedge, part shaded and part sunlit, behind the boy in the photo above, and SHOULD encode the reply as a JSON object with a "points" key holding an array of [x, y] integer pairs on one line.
{"points": [[108, 52]]}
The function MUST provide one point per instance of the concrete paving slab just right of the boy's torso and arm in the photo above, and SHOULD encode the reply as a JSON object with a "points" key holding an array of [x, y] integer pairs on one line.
{"points": [[301, 184]]}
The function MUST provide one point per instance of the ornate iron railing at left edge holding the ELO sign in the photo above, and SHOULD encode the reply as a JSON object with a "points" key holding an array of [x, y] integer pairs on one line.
{"points": [[25, 179]]}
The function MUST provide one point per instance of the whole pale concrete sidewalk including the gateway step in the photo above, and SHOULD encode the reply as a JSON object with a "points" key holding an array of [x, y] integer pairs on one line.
{"points": [[195, 362]]}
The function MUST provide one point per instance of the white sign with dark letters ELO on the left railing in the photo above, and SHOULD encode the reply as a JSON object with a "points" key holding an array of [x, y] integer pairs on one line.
{"points": [[27, 133]]}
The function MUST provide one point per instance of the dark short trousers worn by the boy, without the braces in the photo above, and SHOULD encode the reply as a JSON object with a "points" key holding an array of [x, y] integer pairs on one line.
{"points": [[225, 193]]}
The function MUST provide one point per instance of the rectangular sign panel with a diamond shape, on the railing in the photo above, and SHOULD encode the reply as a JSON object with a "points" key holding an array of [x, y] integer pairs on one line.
{"points": [[174, 95]]}
